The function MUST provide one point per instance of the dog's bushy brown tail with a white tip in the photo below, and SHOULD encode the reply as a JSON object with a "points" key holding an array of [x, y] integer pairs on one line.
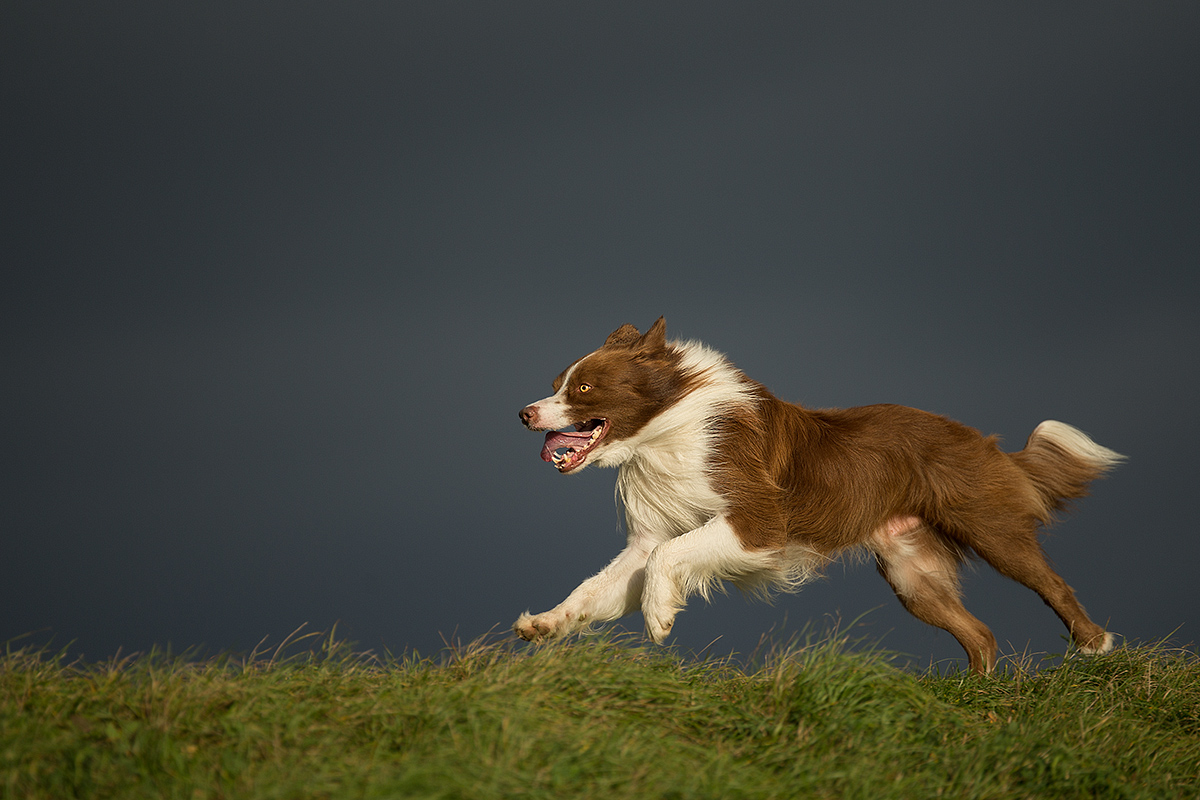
{"points": [[1063, 461]]}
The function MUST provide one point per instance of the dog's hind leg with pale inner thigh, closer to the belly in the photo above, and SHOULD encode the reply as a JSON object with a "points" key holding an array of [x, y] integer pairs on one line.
{"points": [[923, 572]]}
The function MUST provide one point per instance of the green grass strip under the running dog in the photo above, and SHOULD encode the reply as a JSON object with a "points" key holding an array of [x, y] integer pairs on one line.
{"points": [[597, 719]]}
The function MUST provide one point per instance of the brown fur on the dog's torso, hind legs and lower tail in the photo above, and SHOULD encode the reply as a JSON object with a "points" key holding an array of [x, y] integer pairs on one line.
{"points": [[835, 479]]}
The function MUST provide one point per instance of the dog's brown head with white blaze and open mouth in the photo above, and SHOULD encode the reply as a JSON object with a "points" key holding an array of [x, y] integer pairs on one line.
{"points": [[607, 398]]}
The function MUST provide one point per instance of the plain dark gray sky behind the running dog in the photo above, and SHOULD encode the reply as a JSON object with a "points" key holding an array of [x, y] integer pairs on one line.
{"points": [[279, 276]]}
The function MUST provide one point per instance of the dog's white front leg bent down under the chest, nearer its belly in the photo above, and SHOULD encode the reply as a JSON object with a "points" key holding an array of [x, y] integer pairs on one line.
{"points": [[695, 563]]}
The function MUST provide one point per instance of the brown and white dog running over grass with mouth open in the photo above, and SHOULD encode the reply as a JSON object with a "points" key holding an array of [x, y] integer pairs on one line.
{"points": [[723, 482]]}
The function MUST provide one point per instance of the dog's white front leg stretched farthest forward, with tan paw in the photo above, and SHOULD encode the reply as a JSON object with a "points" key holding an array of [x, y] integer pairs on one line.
{"points": [[611, 594]]}
